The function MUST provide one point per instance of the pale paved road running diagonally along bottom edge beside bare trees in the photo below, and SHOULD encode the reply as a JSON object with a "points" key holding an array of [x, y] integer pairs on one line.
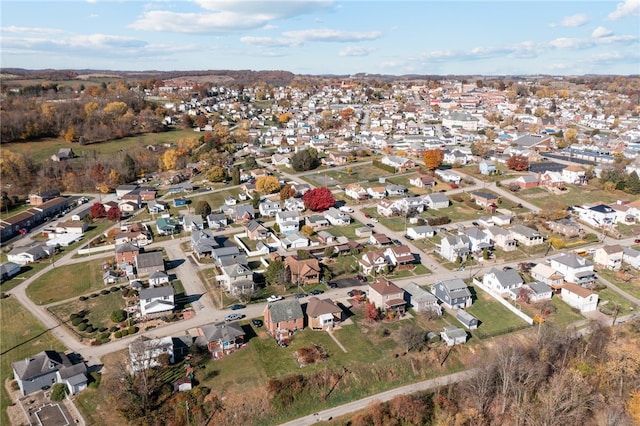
{"points": [[361, 404]]}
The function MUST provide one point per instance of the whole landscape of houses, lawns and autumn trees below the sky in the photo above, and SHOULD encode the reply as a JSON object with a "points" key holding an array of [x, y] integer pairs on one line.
{"points": [[269, 252]]}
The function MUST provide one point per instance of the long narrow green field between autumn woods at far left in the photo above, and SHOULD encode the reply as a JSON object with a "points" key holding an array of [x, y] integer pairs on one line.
{"points": [[42, 149]]}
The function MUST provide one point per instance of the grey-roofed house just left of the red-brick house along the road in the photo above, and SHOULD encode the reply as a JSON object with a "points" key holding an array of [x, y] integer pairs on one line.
{"points": [[221, 338]]}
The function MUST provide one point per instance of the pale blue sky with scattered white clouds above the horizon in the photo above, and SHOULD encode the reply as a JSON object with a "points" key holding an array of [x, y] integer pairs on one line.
{"points": [[324, 36]]}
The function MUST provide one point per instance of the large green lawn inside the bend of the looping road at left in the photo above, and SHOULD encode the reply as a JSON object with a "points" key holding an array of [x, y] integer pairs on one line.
{"points": [[66, 282]]}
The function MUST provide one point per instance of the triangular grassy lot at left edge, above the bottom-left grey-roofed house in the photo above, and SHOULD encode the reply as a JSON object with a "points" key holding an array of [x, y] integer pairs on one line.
{"points": [[22, 337]]}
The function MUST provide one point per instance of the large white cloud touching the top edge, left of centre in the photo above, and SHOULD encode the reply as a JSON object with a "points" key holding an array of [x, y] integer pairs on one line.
{"points": [[226, 16]]}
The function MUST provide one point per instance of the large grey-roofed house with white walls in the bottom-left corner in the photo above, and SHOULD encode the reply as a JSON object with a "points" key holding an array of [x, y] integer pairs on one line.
{"points": [[47, 368]]}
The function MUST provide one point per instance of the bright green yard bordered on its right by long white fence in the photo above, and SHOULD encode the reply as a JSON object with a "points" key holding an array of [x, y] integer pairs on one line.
{"points": [[494, 318]]}
